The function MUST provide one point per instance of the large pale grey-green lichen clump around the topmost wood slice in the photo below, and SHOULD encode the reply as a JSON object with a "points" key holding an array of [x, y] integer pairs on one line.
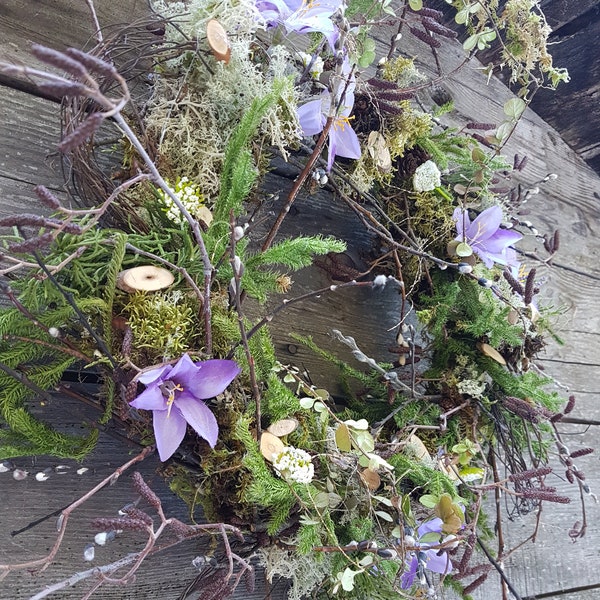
{"points": [[198, 103]]}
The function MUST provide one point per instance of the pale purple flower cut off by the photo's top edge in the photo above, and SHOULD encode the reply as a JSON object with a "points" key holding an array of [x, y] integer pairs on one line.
{"points": [[302, 16]]}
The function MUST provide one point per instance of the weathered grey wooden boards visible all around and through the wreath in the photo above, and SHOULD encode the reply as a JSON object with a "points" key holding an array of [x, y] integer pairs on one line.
{"points": [[553, 567]]}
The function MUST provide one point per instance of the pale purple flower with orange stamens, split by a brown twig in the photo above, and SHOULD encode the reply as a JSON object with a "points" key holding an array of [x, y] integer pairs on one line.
{"points": [[313, 115]]}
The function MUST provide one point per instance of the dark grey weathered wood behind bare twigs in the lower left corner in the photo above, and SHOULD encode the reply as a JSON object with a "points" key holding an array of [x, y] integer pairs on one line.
{"points": [[30, 500]]}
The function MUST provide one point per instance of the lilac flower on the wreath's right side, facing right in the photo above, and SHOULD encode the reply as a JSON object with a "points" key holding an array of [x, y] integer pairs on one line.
{"points": [[486, 238]]}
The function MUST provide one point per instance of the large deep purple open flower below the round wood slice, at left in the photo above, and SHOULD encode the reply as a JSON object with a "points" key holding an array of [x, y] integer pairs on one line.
{"points": [[175, 394]]}
